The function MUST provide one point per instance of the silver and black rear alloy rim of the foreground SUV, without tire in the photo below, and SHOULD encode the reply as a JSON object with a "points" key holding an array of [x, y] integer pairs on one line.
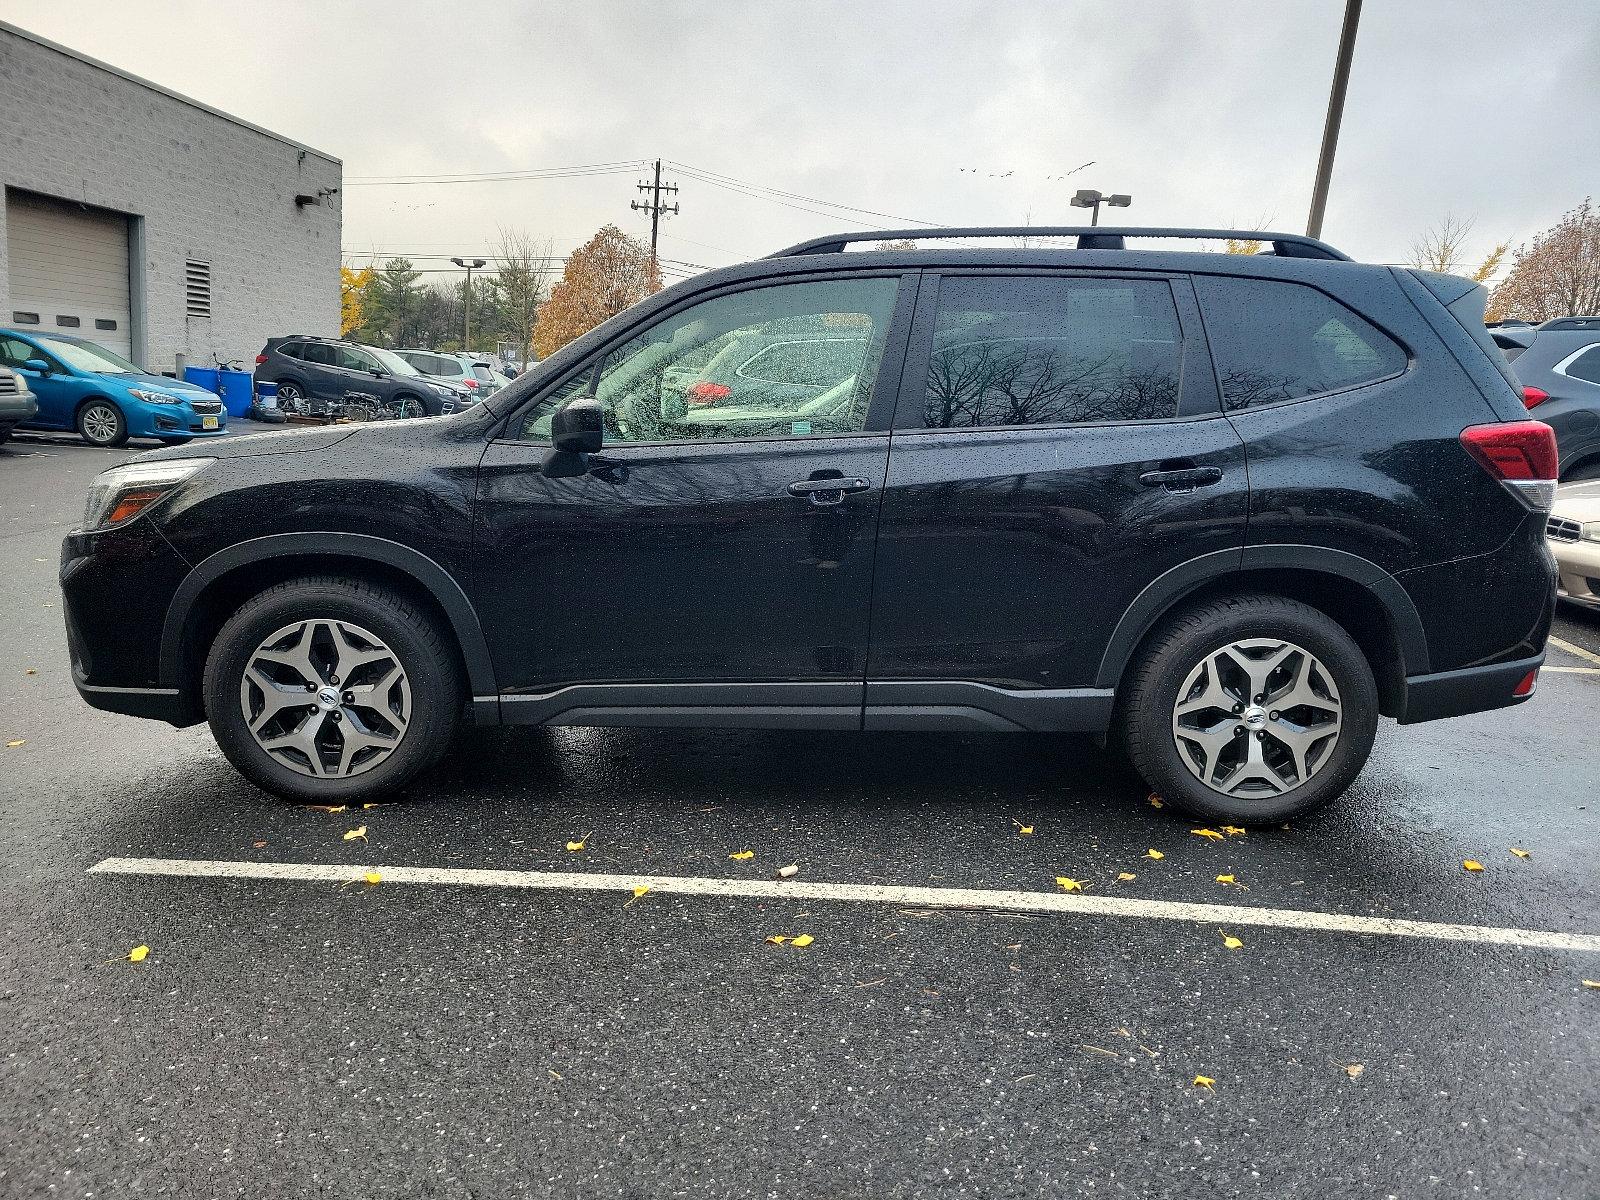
{"points": [[1257, 719]]}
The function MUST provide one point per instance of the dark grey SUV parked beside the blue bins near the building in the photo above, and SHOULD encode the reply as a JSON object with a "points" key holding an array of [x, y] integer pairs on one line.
{"points": [[316, 374]]}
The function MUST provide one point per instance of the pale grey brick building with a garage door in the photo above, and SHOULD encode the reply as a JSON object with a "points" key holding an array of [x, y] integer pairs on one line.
{"points": [[154, 225]]}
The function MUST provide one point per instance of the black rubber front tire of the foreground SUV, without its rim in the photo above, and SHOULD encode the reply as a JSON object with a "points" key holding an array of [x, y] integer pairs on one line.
{"points": [[409, 633]]}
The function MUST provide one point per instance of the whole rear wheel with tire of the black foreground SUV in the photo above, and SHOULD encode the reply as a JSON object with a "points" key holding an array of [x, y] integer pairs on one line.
{"points": [[1250, 710]]}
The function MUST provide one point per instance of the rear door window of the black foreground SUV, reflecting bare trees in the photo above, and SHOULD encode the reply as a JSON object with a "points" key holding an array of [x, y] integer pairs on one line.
{"points": [[1020, 351]]}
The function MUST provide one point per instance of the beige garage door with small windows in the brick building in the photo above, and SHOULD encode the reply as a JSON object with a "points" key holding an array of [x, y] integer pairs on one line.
{"points": [[68, 270]]}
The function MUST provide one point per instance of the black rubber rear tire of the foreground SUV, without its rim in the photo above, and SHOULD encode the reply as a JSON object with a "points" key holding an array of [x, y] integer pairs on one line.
{"points": [[1150, 698]]}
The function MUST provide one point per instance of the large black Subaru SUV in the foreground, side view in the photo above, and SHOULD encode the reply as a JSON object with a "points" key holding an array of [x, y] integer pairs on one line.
{"points": [[1230, 510]]}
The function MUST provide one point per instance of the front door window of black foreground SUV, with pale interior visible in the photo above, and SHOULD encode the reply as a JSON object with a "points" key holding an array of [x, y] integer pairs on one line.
{"points": [[788, 361]]}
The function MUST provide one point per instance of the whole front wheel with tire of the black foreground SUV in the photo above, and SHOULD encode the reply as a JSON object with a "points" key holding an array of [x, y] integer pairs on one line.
{"points": [[332, 690]]}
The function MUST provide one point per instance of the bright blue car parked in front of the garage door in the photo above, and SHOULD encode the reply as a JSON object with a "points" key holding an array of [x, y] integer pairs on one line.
{"points": [[103, 396]]}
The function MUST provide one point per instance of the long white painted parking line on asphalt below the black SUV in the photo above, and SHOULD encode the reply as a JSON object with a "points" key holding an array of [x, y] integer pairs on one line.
{"points": [[862, 894]]}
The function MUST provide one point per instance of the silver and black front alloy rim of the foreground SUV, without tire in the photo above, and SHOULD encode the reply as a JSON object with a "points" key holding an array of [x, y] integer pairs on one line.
{"points": [[326, 698]]}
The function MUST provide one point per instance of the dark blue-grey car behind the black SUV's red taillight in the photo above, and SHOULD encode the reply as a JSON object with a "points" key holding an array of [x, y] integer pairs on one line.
{"points": [[1559, 362]]}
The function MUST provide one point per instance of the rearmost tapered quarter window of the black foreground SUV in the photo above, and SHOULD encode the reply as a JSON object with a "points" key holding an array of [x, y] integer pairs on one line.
{"points": [[1278, 342]]}
